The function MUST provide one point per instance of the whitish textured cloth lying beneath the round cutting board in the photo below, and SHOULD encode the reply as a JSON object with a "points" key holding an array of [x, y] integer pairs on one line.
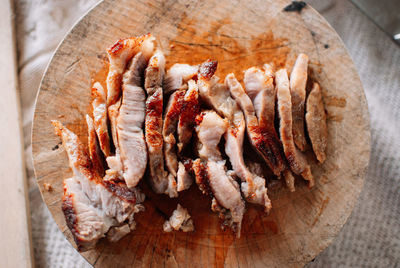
{"points": [[371, 236]]}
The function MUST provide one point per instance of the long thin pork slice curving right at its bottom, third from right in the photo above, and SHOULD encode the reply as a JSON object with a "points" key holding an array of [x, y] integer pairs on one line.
{"points": [[296, 159]]}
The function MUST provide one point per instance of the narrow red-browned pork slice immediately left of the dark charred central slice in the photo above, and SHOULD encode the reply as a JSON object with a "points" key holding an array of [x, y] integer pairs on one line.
{"points": [[171, 118]]}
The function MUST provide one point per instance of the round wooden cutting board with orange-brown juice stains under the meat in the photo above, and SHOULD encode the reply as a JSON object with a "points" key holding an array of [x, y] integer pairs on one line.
{"points": [[239, 34]]}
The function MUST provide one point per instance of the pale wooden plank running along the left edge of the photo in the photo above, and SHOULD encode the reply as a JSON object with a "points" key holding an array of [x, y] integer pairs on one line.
{"points": [[15, 246]]}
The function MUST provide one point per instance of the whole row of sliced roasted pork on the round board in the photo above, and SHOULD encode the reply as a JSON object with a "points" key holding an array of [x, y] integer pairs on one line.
{"points": [[197, 137]]}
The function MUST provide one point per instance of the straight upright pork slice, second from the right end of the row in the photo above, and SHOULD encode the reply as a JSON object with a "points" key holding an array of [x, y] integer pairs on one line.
{"points": [[298, 80]]}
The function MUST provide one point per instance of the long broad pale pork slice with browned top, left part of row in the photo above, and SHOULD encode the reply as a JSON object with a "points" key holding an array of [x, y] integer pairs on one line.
{"points": [[130, 120]]}
